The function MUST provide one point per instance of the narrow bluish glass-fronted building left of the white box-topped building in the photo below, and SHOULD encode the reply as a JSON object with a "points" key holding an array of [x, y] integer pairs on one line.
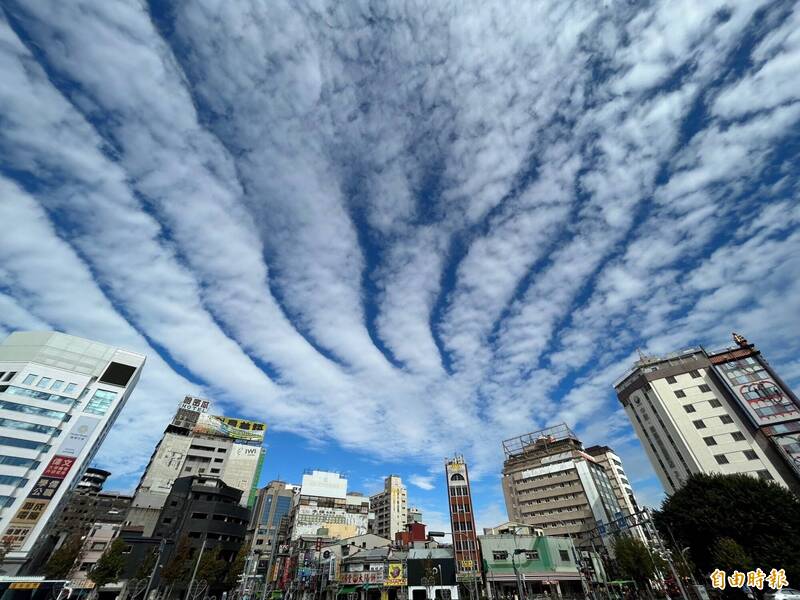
{"points": [[273, 503]]}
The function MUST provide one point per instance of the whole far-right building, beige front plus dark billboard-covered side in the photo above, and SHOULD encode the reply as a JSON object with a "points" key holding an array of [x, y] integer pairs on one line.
{"points": [[713, 412]]}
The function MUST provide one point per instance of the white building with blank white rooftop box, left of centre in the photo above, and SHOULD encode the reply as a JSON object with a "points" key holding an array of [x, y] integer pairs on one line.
{"points": [[323, 507]]}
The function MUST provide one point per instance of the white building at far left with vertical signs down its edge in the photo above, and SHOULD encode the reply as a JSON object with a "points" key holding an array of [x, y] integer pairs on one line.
{"points": [[59, 396]]}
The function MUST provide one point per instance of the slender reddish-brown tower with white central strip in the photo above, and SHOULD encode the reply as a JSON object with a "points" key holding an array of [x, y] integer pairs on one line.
{"points": [[462, 518]]}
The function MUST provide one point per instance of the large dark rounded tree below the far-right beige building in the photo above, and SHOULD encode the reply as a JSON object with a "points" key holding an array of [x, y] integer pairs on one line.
{"points": [[760, 516]]}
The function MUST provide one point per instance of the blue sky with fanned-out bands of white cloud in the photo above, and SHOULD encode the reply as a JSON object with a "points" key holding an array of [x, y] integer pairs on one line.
{"points": [[394, 231]]}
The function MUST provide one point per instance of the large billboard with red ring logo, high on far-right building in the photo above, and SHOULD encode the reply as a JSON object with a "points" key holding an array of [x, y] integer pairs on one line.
{"points": [[757, 391]]}
